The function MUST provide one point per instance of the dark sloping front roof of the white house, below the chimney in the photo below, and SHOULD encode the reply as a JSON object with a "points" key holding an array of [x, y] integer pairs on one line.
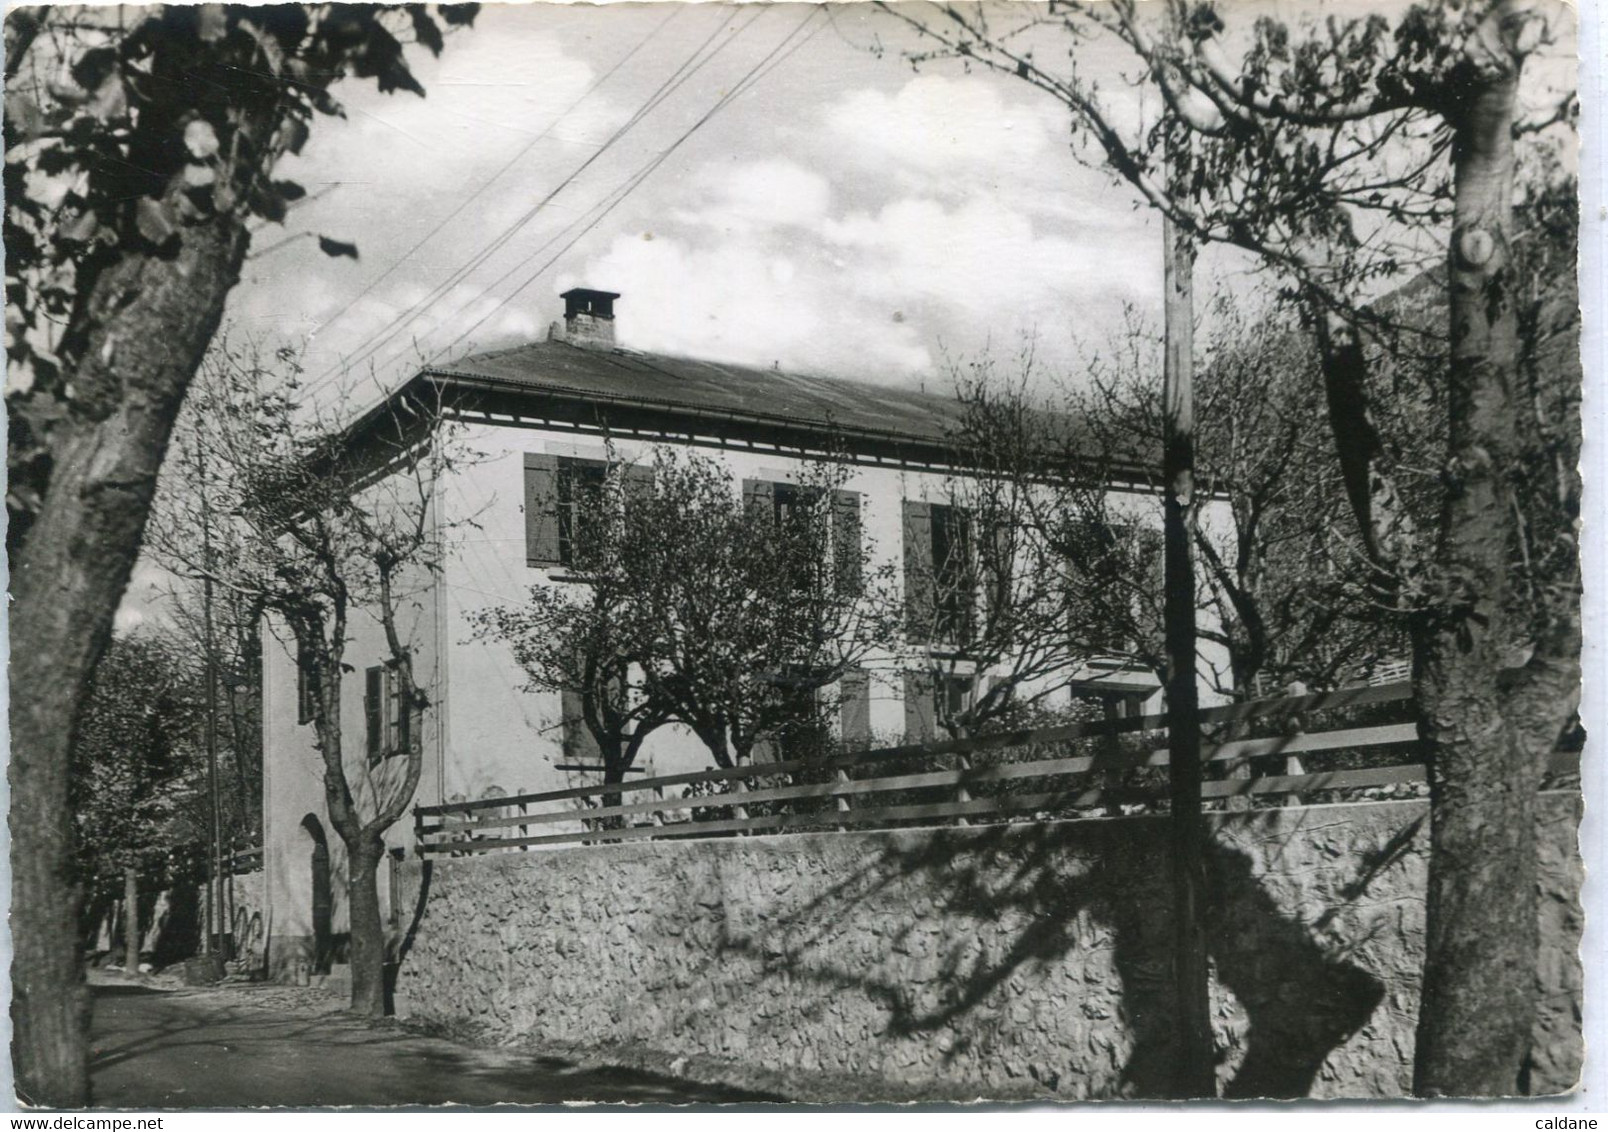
{"points": [[734, 392]]}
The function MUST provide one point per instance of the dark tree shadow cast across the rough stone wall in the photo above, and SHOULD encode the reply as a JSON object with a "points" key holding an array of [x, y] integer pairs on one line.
{"points": [[1080, 887]]}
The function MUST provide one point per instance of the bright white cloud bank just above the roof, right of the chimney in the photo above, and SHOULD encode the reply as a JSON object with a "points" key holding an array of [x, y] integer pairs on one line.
{"points": [[863, 293]]}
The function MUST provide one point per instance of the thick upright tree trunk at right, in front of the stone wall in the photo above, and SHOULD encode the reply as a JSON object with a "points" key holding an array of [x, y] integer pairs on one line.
{"points": [[1479, 999]]}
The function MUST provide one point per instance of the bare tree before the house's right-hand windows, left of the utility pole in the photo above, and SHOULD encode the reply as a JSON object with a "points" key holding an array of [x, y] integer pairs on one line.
{"points": [[1020, 575]]}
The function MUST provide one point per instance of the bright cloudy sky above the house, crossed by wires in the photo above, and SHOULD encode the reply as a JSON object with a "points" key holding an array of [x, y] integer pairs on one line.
{"points": [[800, 197]]}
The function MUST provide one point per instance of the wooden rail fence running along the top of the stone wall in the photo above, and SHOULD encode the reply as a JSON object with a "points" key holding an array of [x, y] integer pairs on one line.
{"points": [[1070, 771]]}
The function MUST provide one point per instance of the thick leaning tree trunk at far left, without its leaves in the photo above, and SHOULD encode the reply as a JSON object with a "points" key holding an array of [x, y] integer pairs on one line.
{"points": [[150, 321]]}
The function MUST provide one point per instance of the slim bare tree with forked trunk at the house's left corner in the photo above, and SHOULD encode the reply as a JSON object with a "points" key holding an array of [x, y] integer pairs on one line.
{"points": [[321, 527]]}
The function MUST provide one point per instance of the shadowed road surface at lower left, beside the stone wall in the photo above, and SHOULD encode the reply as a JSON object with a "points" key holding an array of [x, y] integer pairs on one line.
{"points": [[247, 1048]]}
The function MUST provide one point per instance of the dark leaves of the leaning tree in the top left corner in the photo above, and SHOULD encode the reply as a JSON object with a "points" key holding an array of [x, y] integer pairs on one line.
{"points": [[125, 128]]}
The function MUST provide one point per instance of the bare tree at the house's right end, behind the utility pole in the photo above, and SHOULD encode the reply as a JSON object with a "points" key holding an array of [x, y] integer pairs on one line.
{"points": [[1284, 584]]}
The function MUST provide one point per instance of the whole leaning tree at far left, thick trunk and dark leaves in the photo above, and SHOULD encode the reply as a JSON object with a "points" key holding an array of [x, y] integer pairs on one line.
{"points": [[141, 146]]}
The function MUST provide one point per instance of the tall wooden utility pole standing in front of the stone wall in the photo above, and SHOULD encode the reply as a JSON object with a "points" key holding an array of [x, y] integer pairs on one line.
{"points": [[1196, 1070]]}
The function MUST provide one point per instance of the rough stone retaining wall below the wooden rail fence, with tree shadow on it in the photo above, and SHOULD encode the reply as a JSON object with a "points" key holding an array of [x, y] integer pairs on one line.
{"points": [[1023, 959]]}
